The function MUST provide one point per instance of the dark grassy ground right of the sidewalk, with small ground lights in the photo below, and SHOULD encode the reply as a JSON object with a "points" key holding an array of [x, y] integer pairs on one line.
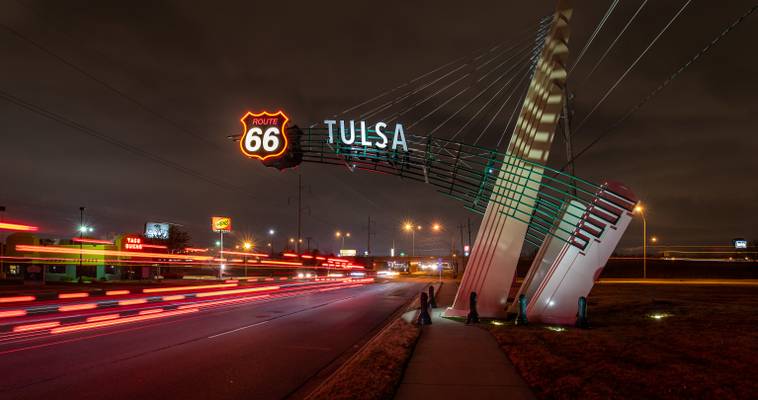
{"points": [[645, 342]]}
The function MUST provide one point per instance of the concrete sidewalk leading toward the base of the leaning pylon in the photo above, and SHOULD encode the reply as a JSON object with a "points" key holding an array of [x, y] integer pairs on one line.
{"points": [[455, 361]]}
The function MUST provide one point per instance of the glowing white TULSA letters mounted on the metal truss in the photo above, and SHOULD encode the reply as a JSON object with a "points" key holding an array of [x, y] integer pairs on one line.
{"points": [[355, 133]]}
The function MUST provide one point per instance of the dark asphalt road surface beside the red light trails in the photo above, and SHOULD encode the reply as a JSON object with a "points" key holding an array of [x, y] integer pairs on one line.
{"points": [[266, 350]]}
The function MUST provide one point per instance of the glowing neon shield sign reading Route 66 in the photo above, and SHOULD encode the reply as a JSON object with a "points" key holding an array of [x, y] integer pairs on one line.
{"points": [[265, 135]]}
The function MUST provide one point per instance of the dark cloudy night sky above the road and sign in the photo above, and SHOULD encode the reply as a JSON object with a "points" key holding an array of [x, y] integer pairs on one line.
{"points": [[690, 154]]}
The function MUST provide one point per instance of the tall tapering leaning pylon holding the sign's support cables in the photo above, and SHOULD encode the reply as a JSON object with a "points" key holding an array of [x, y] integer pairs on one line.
{"points": [[492, 265]]}
